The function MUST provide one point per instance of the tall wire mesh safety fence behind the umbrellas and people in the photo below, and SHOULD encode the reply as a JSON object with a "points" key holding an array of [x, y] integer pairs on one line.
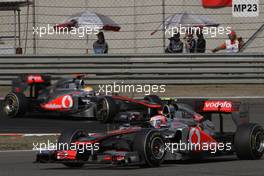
{"points": [[137, 19]]}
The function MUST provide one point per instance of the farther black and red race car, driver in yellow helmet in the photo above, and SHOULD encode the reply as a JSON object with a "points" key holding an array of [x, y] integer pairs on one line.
{"points": [[69, 97]]}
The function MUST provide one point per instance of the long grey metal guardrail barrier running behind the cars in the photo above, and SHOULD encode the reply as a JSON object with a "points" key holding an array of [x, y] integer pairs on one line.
{"points": [[141, 69]]}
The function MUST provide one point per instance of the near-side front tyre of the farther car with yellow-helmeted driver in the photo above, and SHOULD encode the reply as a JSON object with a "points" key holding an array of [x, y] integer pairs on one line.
{"points": [[106, 110]]}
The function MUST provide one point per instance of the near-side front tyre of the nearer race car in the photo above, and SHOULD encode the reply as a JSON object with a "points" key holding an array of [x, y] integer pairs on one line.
{"points": [[150, 146]]}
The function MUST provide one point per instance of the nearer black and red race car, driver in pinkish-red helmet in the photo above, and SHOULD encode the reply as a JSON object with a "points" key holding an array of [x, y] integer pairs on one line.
{"points": [[178, 133]]}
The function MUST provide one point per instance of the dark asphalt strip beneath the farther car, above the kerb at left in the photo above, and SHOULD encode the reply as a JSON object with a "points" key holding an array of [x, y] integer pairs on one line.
{"points": [[42, 124]]}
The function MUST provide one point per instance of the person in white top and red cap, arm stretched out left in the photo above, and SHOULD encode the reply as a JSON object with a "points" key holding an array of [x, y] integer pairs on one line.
{"points": [[232, 44]]}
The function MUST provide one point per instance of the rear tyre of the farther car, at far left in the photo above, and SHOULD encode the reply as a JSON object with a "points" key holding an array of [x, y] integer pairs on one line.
{"points": [[14, 105]]}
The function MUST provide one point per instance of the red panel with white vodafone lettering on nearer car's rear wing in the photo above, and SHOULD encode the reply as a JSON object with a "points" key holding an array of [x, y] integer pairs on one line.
{"points": [[222, 106]]}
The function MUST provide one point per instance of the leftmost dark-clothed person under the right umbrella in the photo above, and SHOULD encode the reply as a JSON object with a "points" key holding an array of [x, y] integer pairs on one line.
{"points": [[175, 45]]}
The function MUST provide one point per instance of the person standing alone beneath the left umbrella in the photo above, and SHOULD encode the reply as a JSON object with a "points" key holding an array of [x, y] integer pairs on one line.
{"points": [[100, 46]]}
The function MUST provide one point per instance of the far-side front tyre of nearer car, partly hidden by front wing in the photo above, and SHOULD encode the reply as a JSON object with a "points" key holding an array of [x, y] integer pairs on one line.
{"points": [[67, 138]]}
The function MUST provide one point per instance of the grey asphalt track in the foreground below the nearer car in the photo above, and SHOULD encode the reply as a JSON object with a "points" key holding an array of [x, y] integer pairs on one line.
{"points": [[21, 163]]}
